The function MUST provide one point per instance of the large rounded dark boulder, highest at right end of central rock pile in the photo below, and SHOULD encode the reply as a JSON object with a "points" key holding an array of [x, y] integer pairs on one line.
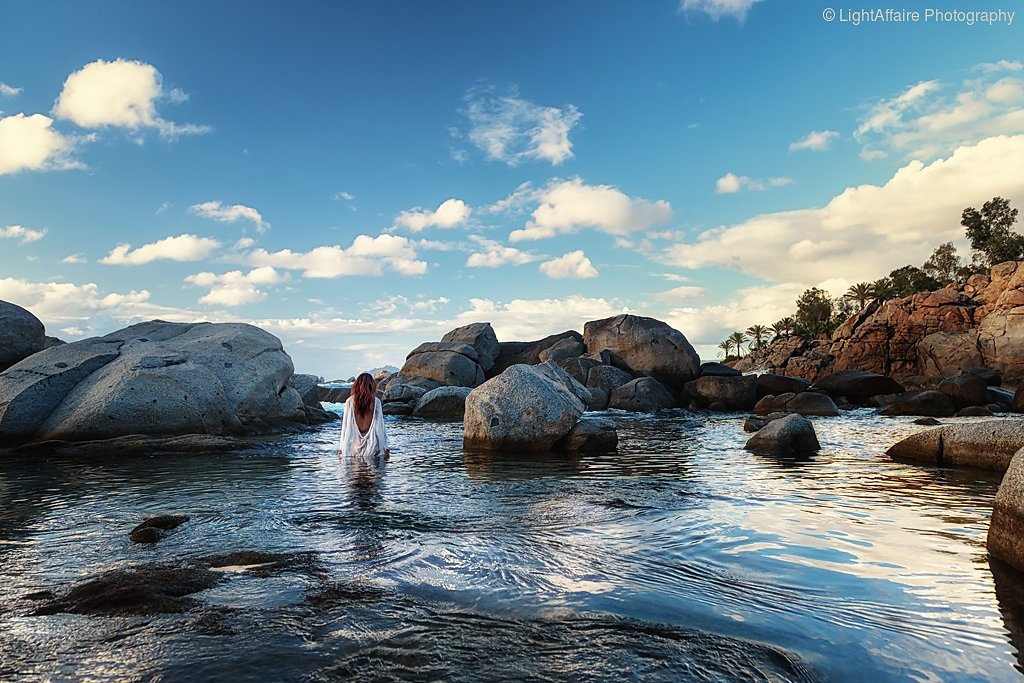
{"points": [[650, 347]]}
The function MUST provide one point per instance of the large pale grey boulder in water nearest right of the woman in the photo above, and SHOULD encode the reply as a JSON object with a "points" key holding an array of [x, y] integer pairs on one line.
{"points": [[520, 410]]}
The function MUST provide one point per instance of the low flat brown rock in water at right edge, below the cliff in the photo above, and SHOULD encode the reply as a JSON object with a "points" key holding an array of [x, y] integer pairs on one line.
{"points": [[988, 445]]}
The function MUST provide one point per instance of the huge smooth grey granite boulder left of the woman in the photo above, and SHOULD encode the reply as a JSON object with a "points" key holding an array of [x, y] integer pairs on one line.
{"points": [[152, 378]]}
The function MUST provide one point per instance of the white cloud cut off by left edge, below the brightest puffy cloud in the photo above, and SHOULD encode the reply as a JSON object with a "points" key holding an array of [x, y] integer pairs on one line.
{"points": [[29, 143]]}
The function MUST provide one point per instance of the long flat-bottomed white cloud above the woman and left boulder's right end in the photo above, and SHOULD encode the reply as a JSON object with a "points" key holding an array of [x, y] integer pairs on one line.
{"points": [[367, 257]]}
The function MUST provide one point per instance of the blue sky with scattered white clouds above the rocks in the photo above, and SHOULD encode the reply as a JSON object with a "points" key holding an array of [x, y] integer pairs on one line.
{"points": [[359, 178]]}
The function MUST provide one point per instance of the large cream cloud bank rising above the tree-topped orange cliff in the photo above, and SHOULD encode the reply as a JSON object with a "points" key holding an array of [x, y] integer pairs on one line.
{"points": [[868, 231]]}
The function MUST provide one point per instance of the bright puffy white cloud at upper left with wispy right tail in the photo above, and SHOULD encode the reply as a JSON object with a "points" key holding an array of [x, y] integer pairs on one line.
{"points": [[121, 94]]}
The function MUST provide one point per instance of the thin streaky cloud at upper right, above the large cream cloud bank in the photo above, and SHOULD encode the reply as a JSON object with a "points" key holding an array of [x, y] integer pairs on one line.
{"points": [[930, 119]]}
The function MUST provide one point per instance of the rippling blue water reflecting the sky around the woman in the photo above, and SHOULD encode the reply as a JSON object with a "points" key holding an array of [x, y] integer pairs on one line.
{"points": [[681, 558]]}
